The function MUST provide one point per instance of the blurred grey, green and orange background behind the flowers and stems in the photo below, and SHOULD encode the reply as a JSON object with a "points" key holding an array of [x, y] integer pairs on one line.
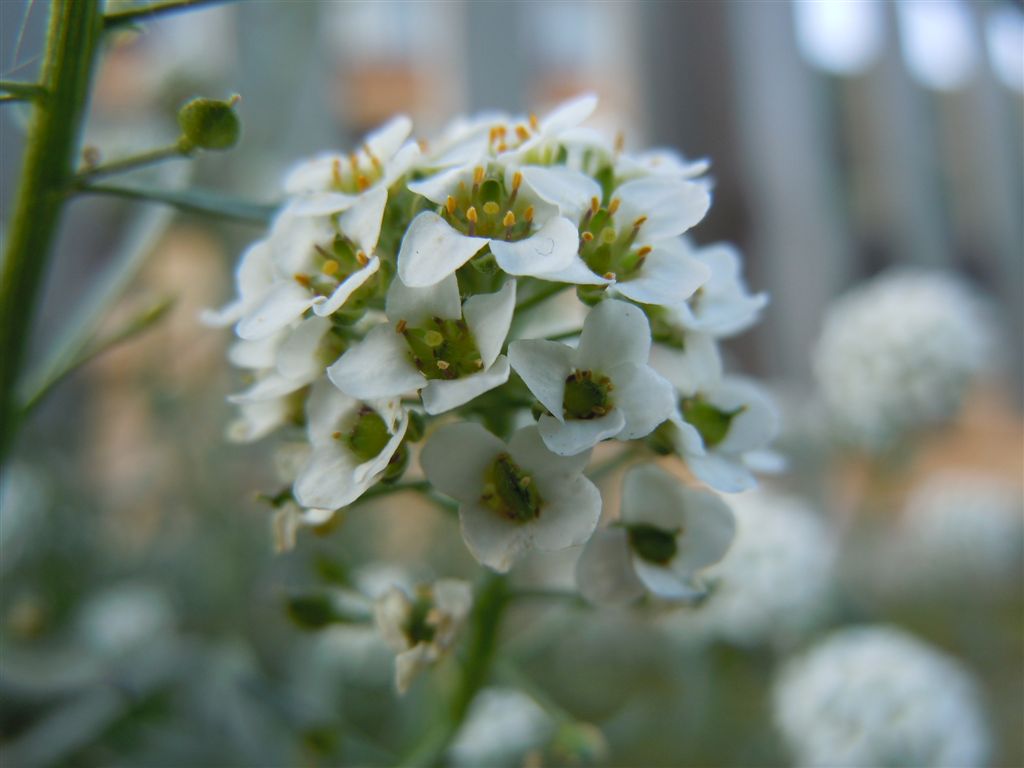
{"points": [[142, 606]]}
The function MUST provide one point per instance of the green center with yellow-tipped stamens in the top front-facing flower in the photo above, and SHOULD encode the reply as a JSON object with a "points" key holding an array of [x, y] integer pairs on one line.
{"points": [[487, 207]]}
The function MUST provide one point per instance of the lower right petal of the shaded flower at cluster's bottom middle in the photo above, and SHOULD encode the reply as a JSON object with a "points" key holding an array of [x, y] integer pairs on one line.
{"points": [[572, 509]]}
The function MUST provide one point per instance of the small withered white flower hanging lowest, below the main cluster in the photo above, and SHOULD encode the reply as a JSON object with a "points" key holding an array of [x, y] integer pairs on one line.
{"points": [[424, 628]]}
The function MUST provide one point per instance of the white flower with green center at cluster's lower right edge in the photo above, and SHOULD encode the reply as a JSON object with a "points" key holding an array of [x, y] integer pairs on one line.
{"points": [[723, 433]]}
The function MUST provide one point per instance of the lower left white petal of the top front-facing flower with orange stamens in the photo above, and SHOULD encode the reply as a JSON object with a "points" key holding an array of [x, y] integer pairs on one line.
{"points": [[432, 250]]}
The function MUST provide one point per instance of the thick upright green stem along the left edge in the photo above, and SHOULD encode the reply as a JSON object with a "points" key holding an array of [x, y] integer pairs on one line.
{"points": [[69, 62]]}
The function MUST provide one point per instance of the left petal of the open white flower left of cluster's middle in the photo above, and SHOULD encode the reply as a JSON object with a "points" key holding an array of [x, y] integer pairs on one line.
{"points": [[377, 367]]}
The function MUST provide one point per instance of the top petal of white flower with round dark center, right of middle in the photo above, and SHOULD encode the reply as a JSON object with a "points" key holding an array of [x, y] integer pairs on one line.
{"points": [[614, 333]]}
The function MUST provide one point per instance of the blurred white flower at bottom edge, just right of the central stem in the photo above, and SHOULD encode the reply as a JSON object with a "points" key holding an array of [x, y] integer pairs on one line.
{"points": [[503, 726]]}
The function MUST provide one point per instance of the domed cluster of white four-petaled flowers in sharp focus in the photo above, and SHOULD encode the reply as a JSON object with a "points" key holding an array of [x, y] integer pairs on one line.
{"points": [[389, 307]]}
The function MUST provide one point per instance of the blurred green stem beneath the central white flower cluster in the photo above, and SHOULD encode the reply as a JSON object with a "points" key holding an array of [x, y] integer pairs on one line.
{"points": [[490, 606]]}
